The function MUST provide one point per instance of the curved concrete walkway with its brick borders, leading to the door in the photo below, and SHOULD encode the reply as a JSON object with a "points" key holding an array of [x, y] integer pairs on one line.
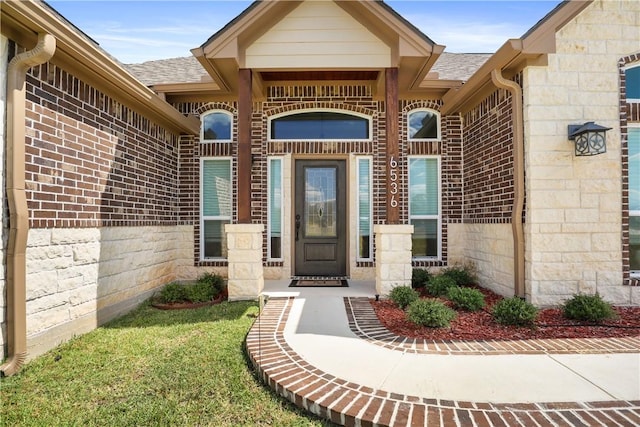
{"points": [[322, 349]]}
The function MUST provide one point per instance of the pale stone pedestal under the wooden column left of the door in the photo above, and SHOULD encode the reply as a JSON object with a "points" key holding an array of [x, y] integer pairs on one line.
{"points": [[246, 276]]}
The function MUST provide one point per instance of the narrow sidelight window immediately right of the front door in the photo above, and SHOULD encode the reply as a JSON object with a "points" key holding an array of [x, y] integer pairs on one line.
{"points": [[365, 220]]}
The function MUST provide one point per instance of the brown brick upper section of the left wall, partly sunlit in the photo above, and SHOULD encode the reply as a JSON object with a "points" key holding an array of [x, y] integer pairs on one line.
{"points": [[91, 161]]}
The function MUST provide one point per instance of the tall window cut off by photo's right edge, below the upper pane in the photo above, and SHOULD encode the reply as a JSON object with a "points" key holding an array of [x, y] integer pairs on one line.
{"points": [[634, 200]]}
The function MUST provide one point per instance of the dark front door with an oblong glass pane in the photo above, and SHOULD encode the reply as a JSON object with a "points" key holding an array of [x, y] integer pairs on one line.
{"points": [[320, 218]]}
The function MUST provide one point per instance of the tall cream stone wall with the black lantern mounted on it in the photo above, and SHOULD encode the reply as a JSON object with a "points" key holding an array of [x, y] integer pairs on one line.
{"points": [[574, 212]]}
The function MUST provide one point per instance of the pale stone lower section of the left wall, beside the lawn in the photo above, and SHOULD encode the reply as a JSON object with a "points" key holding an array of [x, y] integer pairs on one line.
{"points": [[80, 278]]}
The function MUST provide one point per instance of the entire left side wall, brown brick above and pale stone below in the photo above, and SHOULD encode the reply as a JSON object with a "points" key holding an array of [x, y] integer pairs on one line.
{"points": [[101, 183]]}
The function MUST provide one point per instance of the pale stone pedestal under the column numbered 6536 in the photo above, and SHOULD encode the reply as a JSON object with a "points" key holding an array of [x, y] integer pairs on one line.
{"points": [[393, 256]]}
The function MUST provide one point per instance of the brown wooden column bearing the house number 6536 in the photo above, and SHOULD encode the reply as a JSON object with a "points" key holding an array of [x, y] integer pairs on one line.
{"points": [[393, 149]]}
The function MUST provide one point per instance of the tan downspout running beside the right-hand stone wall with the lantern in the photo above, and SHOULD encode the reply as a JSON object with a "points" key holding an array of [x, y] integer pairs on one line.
{"points": [[518, 175]]}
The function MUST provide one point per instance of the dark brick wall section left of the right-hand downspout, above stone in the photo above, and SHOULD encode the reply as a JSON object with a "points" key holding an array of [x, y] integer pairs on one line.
{"points": [[488, 160]]}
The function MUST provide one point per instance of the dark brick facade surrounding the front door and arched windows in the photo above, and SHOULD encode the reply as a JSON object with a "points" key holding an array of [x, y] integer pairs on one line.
{"points": [[351, 98]]}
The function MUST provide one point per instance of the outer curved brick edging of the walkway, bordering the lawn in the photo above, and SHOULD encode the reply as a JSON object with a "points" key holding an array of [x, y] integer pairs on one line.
{"points": [[351, 404]]}
